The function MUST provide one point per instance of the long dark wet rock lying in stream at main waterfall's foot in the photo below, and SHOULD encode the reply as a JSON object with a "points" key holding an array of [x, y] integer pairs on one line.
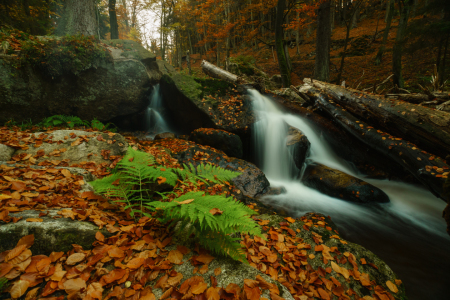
{"points": [[340, 185]]}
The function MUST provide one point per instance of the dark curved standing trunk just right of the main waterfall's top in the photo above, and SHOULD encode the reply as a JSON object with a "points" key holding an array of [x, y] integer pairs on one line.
{"points": [[282, 59]]}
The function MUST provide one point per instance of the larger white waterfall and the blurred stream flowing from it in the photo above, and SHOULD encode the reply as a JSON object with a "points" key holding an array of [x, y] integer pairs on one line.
{"points": [[408, 233]]}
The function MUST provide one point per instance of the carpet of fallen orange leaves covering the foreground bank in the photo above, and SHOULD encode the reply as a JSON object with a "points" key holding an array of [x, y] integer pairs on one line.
{"points": [[136, 259]]}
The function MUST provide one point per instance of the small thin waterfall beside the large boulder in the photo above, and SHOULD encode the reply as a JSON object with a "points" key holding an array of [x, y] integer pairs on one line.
{"points": [[154, 122]]}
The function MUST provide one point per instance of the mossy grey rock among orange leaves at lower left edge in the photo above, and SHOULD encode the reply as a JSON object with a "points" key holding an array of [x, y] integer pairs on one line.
{"points": [[52, 234]]}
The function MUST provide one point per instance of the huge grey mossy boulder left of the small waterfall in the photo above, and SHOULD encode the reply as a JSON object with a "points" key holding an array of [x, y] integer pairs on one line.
{"points": [[119, 85]]}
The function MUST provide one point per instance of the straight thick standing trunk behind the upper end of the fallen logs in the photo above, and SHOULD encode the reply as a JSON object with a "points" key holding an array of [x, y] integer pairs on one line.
{"points": [[323, 41]]}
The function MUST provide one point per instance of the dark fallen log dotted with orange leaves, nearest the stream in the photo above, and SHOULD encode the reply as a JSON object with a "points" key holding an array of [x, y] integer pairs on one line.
{"points": [[430, 170]]}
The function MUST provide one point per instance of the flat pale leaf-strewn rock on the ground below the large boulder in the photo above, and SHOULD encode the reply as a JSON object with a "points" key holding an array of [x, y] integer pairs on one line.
{"points": [[64, 144]]}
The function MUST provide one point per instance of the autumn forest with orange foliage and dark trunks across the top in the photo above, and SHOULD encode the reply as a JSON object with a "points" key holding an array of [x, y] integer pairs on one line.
{"points": [[361, 42]]}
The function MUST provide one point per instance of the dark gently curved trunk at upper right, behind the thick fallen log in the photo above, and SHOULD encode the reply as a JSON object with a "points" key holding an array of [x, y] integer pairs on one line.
{"points": [[398, 46]]}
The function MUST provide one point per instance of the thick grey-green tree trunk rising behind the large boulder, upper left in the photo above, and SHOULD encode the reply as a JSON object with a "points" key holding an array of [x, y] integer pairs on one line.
{"points": [[78, 17]]}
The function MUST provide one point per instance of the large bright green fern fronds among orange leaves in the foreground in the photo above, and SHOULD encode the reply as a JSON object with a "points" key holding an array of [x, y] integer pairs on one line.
{"points": [[136, 172]]}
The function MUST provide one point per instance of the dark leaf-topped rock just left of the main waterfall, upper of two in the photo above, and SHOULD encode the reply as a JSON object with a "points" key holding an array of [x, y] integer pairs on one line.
{"points": [[227, 142]]}
